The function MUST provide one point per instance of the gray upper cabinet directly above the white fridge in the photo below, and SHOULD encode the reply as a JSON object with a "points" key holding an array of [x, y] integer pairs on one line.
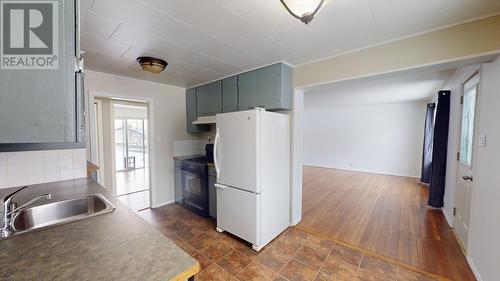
{"points": [[269, 87]]}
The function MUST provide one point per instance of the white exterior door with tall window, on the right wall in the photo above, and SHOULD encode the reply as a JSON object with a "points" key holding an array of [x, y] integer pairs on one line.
{"points": [[466, 159]]}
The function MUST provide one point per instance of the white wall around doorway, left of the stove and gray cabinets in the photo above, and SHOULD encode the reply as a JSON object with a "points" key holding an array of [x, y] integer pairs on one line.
{"points": [[167, 123]]}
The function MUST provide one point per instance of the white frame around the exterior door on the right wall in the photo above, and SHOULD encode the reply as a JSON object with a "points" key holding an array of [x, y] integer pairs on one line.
{"points": [[476, 71]]}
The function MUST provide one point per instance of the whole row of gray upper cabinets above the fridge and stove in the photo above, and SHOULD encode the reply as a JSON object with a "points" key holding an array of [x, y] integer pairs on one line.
{"points": [[270, 87]]}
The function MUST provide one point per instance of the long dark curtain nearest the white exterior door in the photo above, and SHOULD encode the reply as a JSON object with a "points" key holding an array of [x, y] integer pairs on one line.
{"points": [[439, 150]]}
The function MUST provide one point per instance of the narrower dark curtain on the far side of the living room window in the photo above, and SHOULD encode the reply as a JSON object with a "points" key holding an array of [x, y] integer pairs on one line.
{"points": [[428, 138]]}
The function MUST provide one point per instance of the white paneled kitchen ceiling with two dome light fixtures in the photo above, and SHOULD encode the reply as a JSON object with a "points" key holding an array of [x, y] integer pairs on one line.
{"points": [[204, 40]]}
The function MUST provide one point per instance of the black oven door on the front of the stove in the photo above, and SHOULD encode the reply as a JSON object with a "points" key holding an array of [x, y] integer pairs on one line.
{"points": [[195, 191]]}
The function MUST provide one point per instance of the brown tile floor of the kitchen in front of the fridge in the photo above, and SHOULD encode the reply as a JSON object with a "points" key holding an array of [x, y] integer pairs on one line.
{"points": [[295, 255]]}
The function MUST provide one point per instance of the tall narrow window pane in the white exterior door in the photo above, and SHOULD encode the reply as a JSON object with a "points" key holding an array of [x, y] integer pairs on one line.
{"points": [[468, 115]]}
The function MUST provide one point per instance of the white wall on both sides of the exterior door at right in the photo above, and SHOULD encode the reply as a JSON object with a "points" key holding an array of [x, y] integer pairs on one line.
{"points": [[483, 249]]}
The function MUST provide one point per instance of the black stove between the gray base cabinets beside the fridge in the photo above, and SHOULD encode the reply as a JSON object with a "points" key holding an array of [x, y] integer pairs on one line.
{"points": [[194, 172]]}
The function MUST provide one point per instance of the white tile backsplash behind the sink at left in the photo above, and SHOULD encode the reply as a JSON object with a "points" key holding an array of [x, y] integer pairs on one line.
{"points": [[34, 167]]}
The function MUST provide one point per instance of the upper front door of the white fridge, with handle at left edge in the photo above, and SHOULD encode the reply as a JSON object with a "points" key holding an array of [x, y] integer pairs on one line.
{"points": [[237, 144]]}
